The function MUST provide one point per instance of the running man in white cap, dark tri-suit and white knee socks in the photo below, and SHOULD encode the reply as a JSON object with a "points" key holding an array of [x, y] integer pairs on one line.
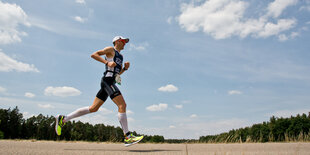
{"points": [[114, 68]]}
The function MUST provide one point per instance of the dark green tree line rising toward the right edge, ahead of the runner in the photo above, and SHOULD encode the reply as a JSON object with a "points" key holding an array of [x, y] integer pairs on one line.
{"points": [[295, 128]]}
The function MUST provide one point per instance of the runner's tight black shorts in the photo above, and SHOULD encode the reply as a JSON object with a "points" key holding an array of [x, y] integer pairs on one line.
{"points": [[108, 88]]}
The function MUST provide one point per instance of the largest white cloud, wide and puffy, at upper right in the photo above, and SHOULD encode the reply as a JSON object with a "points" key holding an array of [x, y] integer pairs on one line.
{"points": [[225, 18]]}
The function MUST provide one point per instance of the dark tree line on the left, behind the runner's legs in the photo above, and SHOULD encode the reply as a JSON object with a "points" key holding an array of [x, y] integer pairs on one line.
{"points": [[14, 126]]}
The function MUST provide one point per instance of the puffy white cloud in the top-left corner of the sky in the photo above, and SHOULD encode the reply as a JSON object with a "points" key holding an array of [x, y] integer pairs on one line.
{"points": [[11, 15]]}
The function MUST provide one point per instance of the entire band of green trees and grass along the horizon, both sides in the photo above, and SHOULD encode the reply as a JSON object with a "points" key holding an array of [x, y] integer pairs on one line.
{"points": [[14, 126]]}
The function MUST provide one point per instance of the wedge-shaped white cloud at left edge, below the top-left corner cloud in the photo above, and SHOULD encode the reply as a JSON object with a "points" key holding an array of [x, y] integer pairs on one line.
{"points": [[8, 64]]}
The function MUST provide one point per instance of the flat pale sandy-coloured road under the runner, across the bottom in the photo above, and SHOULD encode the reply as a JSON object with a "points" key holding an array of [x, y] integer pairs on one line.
{"points": [[8, 147]]}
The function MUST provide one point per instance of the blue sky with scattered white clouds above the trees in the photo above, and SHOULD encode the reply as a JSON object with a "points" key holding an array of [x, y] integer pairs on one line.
{"points": [[197, 67]]}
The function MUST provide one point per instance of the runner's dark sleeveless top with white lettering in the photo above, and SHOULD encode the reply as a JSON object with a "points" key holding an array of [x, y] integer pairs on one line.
{"points": [[112, 71]]}
